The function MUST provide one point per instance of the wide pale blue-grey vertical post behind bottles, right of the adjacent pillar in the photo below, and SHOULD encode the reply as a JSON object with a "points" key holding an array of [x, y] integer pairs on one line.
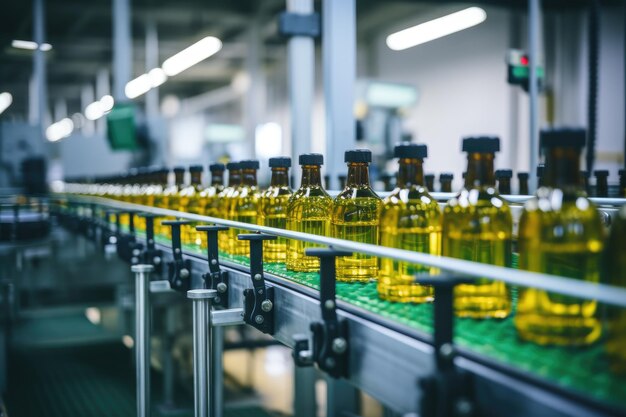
{"points": [[339, 61]]}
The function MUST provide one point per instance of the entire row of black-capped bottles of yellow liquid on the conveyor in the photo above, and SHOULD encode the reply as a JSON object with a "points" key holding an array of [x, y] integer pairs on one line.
{"points": [[560, 231]]}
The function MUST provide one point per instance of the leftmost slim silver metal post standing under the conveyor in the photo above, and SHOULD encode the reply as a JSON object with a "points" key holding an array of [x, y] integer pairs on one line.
{"points": [[142, 337]]}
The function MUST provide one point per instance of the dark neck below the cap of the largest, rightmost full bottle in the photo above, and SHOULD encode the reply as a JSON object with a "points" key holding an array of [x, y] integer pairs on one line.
{"points": [[562, 168]]}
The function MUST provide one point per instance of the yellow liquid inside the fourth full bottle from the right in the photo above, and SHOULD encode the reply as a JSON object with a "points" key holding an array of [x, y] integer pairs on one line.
{"points": [[356, 218]]}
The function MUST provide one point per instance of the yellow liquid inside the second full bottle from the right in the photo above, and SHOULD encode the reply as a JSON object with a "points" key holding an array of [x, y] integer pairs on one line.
{"points": [[477, 226]]}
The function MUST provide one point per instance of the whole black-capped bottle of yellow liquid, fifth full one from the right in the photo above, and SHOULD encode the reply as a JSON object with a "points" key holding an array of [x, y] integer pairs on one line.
{"points": [[308, 211]]}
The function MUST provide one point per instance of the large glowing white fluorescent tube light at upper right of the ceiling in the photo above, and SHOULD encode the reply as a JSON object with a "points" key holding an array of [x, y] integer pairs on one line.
{"points": [[437, 28]]}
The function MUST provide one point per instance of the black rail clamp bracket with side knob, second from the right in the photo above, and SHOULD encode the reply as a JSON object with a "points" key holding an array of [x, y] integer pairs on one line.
{"points": [[330, 337]]}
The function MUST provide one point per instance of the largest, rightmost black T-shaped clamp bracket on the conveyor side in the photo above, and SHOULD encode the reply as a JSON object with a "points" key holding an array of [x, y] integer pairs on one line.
{"points": [[447, 392]]}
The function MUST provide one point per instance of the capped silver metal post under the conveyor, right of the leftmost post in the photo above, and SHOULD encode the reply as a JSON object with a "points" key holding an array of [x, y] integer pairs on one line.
{"points": [[203, 394]]}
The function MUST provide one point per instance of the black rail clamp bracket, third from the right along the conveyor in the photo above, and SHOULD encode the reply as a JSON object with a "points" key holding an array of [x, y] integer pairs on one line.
{"points": [[259, 300]]}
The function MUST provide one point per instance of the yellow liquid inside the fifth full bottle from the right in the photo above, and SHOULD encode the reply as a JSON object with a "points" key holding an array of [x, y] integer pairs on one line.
{"points": [[308, 212]]}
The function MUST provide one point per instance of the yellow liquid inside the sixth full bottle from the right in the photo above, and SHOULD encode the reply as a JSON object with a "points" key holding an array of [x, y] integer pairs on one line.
{"points": [[273, 213]]}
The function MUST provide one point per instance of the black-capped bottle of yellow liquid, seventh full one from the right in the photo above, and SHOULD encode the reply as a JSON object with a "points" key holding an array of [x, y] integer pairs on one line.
{"points": [[244, 205]]}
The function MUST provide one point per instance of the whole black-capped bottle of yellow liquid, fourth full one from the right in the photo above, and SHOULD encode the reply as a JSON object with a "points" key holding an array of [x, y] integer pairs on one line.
{"points": [[355, 216]]}
